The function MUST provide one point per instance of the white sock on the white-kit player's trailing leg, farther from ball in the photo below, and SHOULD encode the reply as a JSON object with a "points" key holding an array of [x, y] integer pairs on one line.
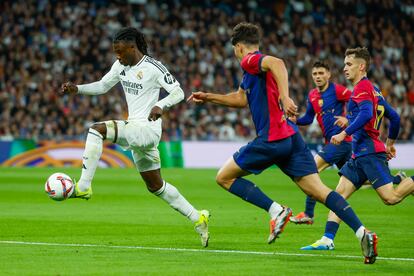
{"points": [[172, 196]]}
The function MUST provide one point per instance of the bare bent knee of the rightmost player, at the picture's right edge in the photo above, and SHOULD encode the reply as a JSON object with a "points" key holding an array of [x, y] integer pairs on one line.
{"points": [[391, 195]]}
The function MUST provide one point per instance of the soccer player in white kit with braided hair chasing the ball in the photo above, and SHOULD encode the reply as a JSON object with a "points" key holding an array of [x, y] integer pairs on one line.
{"points": [[141, 77]]}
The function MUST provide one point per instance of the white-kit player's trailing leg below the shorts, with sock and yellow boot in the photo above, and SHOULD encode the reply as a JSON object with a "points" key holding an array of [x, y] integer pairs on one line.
{"points": [[170, 194]]}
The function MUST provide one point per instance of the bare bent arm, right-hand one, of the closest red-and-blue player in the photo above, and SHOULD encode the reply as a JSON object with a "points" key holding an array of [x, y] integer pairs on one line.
{"points": [[279, 72]]}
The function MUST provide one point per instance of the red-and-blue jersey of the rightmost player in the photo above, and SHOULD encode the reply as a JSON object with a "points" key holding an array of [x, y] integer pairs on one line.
{"points": [[365, 140]]}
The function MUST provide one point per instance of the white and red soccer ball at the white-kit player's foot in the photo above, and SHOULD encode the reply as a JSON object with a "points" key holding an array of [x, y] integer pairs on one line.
{"points": [[59, 186]]}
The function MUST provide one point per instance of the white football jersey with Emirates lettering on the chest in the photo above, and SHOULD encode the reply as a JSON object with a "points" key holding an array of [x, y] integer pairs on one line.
{"points": [[141, 83]]}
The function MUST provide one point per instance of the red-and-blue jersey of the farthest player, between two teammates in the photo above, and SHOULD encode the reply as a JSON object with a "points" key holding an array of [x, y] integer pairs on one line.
{"points": [[326, 105]]}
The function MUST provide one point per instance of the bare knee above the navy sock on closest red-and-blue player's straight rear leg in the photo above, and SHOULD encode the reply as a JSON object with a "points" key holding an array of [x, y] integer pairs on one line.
{"points": [[312, 185]]}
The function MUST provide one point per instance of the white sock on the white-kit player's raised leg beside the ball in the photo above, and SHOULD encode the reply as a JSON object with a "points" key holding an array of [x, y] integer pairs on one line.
{"points": [[91, 155]]}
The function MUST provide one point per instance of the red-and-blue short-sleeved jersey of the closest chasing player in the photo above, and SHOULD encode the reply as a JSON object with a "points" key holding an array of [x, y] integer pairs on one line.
{"points": [[263, 98]]}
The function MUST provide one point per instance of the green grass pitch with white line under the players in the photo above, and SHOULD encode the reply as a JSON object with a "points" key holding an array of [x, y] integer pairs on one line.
{"points": [[125, 230]]}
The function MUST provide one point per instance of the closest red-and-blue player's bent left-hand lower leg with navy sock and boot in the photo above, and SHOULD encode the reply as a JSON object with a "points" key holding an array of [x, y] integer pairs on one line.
{"points": [[230, 178]]}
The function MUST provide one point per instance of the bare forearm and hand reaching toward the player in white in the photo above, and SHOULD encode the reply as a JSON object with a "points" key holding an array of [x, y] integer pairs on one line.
{"points": [[234, 99]]}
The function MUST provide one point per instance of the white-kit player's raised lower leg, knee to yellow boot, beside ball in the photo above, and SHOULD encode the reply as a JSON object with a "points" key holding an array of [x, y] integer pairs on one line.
{"points": [[91, 156]]}
